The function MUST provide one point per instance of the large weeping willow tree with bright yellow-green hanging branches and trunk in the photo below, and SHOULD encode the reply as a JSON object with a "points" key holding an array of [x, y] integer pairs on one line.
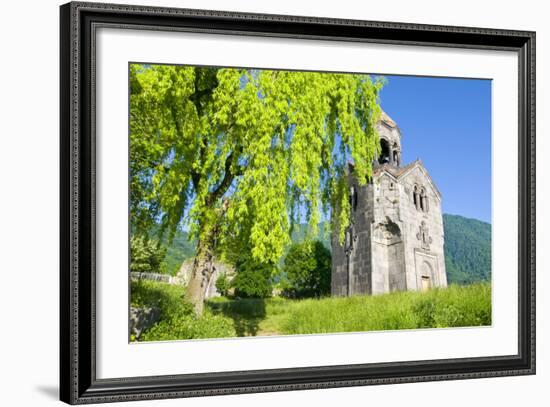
{"points": [[240, 155]]}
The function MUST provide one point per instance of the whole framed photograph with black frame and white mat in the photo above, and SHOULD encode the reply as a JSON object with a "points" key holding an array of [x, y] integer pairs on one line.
{"points": [[255, 203]]}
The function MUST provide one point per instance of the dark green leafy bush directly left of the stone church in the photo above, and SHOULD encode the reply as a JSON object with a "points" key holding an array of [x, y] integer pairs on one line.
{"points": [[307, 268]]}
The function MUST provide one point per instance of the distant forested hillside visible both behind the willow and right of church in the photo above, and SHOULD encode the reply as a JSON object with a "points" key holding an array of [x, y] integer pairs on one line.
{"points": [[467, 249]]}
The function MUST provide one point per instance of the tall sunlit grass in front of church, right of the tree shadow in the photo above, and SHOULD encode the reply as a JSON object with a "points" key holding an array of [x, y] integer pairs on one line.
{"points": [[439, 308]]}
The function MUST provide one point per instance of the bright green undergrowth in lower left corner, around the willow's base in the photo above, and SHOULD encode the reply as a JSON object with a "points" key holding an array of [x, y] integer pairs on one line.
{"points": [[178, 320]]}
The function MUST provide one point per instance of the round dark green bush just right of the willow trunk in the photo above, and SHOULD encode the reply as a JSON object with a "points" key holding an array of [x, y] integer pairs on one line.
{"points": [[253, 279]]}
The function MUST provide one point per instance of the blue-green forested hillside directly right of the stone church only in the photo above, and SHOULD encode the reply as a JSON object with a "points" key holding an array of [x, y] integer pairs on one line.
{"points": [[467, 249]]}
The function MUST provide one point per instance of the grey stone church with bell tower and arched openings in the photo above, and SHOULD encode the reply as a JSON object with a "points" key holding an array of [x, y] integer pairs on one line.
{"points": [[395, 240]]}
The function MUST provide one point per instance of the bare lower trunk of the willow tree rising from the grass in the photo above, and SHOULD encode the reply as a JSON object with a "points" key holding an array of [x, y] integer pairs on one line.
{"points": [[200, 275]]}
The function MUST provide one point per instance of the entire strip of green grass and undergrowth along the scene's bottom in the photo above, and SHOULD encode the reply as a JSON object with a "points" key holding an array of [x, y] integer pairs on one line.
{"points": [[455, 306]]}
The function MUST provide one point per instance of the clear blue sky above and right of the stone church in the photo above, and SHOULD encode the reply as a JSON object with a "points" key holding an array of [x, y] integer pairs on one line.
{"points": [[447, 124]]}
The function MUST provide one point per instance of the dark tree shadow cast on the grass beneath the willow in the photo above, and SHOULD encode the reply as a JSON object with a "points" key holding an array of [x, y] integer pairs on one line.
{"points": [[246, 313]]}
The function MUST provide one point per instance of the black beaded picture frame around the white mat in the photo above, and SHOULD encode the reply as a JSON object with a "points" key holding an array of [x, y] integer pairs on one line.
{"points": [[78, 382]]}
